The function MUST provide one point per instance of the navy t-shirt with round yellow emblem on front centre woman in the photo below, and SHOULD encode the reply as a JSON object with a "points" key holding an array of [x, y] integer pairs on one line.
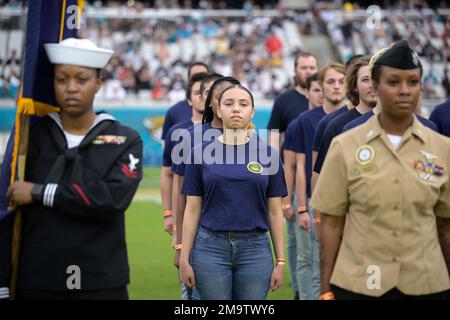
{"points": [[234, 193]]}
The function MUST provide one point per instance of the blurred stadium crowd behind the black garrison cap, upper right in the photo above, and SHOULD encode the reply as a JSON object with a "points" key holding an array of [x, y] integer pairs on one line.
{"points": [[354, 34]]}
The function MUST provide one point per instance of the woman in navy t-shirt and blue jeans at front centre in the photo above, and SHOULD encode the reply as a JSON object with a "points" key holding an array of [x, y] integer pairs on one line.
{"points": [[234, 185]]}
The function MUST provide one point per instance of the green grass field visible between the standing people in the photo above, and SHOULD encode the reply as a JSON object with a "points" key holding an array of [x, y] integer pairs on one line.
{"points": [[153, 276]]}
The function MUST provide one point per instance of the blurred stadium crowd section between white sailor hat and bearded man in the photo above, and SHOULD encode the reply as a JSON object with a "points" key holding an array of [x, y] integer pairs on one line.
{"points": [[151, 57]]}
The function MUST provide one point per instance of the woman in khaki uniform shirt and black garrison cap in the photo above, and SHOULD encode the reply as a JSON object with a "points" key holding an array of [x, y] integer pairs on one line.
{"points": [[387, 181]]}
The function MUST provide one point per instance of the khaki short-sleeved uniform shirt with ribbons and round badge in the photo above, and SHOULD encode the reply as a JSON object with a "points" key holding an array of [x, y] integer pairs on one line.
{"points": [[392, 198]]}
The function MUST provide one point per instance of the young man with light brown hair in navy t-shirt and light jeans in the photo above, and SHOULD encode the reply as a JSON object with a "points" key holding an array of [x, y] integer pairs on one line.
{"points": [[332, 80]]}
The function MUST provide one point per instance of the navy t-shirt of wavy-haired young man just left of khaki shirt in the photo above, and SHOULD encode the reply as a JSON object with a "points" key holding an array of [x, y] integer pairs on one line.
{"points": [[333, 129]]}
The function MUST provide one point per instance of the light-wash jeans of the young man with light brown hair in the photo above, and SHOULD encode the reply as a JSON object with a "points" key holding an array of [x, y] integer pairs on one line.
{"points": [[308, 273]]}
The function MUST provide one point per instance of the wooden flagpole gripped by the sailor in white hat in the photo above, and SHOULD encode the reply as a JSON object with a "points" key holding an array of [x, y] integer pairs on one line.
{"points": [[23, 148]]}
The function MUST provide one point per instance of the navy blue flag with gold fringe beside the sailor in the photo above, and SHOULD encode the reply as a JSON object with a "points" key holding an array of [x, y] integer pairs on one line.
{"points": [[48, 21]]}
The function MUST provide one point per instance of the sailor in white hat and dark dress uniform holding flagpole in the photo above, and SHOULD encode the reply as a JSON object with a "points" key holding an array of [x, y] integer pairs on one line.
{"points": [[81, 174]]}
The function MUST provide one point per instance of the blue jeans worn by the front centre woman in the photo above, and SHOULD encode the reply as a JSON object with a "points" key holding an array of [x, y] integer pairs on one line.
{"points": [[232, 265]]}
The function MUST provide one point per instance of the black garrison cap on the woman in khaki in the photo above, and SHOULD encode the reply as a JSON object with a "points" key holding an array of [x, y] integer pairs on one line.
{"points": [[400, 56]]}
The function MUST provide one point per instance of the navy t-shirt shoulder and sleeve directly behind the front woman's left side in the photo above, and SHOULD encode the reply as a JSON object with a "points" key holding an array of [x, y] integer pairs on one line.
{"points": [[198, 134]]}
